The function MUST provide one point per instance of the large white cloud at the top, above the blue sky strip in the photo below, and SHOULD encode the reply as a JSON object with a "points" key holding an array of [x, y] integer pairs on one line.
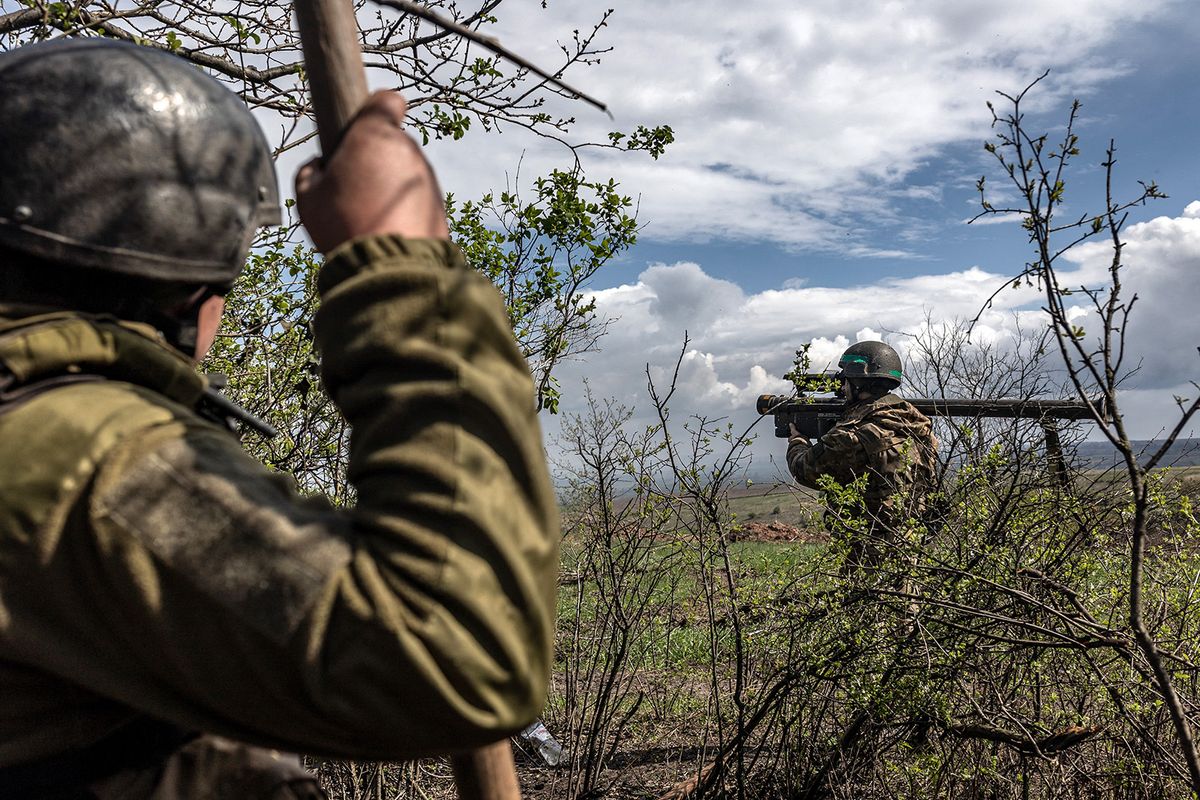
{"points": [[795, 121]]}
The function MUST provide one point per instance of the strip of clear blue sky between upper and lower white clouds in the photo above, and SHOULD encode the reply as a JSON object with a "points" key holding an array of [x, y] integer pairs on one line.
{"points": [[1151, 112]]}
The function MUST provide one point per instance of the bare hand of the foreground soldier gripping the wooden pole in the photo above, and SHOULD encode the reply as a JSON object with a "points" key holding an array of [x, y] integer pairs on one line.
{"points": [[376, 183]]}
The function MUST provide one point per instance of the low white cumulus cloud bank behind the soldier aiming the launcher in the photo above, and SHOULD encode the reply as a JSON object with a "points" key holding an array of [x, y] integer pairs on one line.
{"points": [[740, 345]]}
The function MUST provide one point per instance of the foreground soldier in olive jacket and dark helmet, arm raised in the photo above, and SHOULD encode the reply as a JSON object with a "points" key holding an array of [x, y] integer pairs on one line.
{"points": [[152, 570]]}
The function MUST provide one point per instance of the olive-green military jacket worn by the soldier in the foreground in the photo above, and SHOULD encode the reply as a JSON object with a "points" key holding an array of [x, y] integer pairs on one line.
{"points": [[149, 569]]}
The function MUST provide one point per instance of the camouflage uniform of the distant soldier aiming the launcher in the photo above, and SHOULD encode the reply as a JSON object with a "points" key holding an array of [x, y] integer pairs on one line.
{"points": [[893, 444]]}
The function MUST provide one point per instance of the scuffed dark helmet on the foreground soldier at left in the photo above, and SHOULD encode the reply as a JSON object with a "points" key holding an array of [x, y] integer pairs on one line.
{"points": [[129, 161]]}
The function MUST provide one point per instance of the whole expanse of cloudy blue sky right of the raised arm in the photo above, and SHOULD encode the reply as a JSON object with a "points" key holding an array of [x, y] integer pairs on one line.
{"points": [[825, 167]]}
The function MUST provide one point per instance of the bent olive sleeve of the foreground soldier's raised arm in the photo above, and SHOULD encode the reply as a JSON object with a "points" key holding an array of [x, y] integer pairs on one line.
{"points": [[421, 621]]}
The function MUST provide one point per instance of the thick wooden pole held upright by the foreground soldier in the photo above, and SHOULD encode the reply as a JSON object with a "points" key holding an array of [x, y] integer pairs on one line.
{"points": [[338, 82]]}
